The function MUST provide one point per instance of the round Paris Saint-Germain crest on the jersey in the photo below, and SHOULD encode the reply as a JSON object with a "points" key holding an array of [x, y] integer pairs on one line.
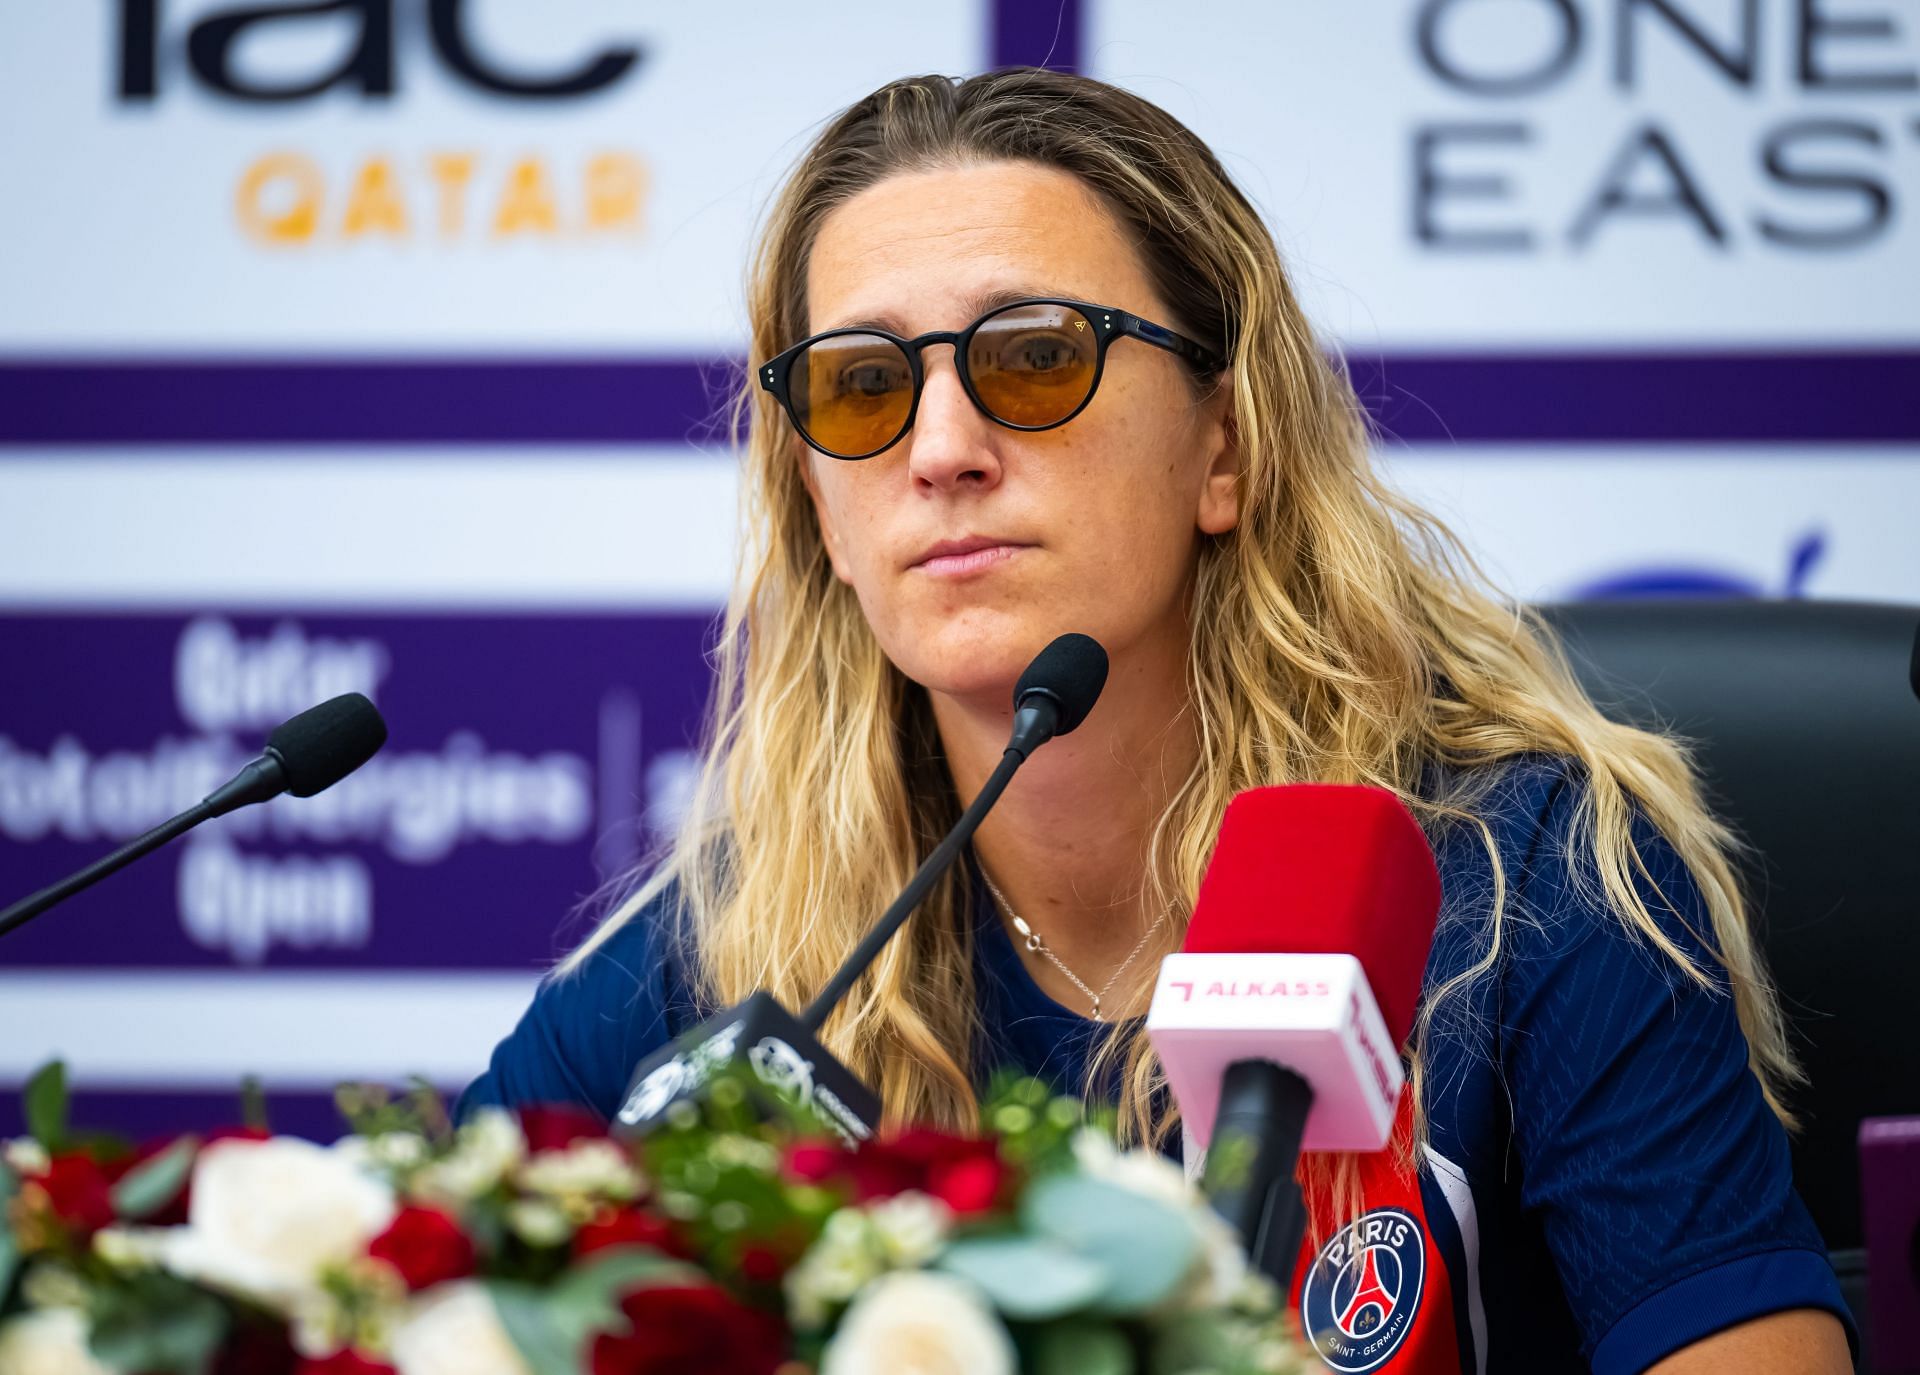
{"points": [[1360, 1299]]}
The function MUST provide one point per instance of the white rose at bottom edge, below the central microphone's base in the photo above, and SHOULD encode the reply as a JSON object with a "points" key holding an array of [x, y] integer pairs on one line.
{"points": [[919, 1324]]}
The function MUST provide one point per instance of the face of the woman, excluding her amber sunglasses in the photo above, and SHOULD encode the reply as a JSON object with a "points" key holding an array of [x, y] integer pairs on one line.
{"points": [[1090, 527]]}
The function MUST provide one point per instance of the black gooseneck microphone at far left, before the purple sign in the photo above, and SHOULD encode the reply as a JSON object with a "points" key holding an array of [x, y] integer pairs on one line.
{"points": [[304, 756]]}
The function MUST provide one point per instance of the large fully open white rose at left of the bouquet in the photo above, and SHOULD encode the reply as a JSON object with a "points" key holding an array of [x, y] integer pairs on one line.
{"points": [[268, 1217]]}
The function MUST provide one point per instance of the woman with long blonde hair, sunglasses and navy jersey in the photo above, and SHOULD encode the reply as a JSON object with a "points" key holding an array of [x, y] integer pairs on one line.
{"points": [[1122, 425]]}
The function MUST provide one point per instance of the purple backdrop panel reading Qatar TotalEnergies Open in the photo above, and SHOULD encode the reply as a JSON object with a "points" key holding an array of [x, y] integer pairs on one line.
{"points": [[529, 758]]}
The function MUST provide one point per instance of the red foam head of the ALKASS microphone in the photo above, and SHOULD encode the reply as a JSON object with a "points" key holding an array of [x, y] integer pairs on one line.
{"points": [[1324, 869]]}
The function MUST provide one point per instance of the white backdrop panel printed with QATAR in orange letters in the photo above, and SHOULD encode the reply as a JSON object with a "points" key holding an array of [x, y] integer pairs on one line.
{"points": [[420, 220]]}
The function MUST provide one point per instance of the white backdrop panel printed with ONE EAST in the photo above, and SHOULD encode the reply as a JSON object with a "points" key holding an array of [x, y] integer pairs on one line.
{"points": [[1535, 116]]}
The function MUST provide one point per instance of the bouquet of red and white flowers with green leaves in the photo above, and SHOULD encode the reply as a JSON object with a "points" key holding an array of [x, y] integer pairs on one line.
{"points": [[535, 1245]]}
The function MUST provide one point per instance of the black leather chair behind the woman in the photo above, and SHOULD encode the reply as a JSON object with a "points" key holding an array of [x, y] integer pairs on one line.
{"points": [[1808, 727]]}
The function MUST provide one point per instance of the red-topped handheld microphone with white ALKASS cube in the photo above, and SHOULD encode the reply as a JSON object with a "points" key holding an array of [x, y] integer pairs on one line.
{"points": [[1282, 1019]]}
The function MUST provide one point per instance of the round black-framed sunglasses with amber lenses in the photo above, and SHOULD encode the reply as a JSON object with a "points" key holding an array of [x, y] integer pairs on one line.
{"points": [[1028, 366]]}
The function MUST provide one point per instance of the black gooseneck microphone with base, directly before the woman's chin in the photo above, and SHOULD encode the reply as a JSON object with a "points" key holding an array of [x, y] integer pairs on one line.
{"points": [[780, 1051]]}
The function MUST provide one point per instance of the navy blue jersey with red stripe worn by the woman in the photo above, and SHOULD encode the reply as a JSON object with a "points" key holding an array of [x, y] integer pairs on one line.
{"points": [[1602, 1184]]}
